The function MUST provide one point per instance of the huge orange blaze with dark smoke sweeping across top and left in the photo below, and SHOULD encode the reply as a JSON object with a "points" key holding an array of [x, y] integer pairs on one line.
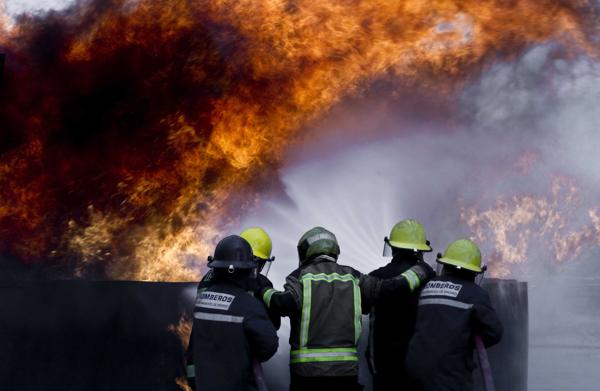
{"points": [[134, 132]]}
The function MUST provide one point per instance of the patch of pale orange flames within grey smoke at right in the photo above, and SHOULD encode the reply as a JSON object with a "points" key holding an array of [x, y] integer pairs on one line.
{"points": [[513, 226]]}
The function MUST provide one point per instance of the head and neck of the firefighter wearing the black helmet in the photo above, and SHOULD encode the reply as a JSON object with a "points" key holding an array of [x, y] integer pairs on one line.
{"points": [[233, 258]]}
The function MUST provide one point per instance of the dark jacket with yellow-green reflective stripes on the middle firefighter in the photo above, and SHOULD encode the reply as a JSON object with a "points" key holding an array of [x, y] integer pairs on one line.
{"points": [[324, 301]]}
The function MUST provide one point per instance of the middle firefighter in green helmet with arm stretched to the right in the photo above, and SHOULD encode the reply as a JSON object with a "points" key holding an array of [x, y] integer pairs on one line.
{"points": [[324, 301]]}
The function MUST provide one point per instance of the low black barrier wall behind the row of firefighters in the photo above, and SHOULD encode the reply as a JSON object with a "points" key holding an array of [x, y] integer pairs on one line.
{"points": [[83, 335]]}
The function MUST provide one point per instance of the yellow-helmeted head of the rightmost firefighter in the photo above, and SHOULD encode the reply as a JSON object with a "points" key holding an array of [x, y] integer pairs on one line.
{"points": [[461, 258]]}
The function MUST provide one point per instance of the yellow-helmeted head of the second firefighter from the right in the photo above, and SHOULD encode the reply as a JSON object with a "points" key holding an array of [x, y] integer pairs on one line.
{"points": [[407, 239]]}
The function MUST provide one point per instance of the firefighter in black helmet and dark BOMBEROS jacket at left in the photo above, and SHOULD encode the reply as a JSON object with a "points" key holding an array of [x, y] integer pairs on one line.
{"points": [[231, 327]]}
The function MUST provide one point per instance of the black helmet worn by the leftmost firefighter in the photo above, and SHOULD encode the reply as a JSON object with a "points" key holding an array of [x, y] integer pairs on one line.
{"points": [[233, 252]]}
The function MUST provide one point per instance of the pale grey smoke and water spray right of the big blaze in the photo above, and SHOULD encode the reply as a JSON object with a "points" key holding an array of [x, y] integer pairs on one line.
{"points": [[516, 171]]}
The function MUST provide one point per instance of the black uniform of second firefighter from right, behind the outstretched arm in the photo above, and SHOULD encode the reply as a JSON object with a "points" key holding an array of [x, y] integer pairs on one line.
{"points": [[392, 324]]}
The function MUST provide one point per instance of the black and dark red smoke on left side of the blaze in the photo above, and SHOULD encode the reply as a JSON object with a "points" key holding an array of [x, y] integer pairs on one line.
{"points": [[78, 130]]}
